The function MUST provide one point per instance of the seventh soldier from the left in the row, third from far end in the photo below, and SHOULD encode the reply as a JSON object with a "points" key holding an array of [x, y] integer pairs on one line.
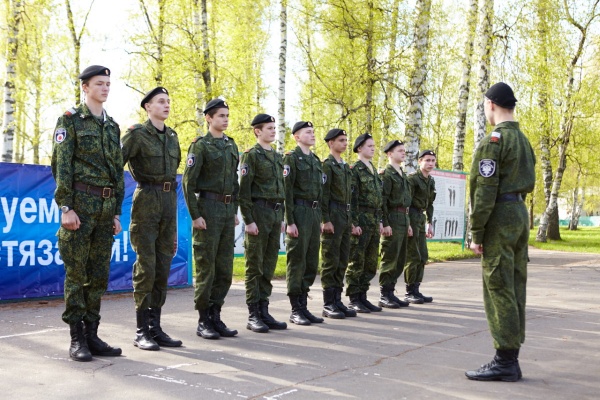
{"points": [[367, 228]]}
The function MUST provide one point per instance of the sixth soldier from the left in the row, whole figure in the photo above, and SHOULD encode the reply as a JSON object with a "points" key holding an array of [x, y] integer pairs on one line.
{"points": [[337, 225]]}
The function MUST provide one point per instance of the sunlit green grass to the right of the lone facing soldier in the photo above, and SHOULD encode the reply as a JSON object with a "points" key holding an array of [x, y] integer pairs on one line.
{"points": [[583, 240]]}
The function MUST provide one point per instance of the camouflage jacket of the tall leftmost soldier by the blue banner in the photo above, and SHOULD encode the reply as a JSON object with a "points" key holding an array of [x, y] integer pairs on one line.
{"points": [[88, 151]]}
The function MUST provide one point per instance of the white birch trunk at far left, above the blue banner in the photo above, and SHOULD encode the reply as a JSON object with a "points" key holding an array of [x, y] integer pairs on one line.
{"points": [[8, 119]]}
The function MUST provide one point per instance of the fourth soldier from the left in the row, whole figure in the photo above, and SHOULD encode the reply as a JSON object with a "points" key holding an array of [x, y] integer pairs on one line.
{"points": [[262, 193]]}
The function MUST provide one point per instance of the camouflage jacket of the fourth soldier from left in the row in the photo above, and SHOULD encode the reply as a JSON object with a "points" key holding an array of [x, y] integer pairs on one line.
{"points": [[262, 178]]}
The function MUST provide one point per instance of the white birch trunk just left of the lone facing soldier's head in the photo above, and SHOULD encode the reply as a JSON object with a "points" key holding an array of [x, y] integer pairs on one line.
{"points": [[484, 51]]}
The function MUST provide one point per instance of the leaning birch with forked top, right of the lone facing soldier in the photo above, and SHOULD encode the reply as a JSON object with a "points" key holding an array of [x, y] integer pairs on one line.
{"points": [[567, 114]]}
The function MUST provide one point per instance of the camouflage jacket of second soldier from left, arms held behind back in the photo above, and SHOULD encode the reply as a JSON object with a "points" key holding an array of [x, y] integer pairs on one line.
{"points": [[153, 156]]}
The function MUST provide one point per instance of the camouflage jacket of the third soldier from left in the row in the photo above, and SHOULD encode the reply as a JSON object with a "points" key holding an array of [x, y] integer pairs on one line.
{"points": [[211, 166]]}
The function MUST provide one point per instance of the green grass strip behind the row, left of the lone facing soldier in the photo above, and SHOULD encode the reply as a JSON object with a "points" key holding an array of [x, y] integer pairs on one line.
{"points": [[438, 251]]}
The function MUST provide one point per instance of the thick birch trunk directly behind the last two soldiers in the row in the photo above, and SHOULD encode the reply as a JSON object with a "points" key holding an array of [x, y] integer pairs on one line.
{"points": [[414, 114]]}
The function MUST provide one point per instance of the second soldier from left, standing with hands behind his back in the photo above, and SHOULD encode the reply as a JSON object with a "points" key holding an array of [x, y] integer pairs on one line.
{"points": [[152, 150]]}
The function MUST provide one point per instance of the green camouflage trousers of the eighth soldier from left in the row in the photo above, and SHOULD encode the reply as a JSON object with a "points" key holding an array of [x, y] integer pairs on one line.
{"points": [[393, 250]]}
